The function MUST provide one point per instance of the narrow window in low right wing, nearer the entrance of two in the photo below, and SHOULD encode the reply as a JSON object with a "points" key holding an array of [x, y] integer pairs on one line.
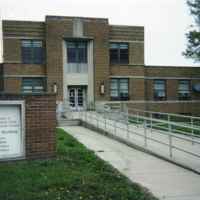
{"points": [[159, 90]]}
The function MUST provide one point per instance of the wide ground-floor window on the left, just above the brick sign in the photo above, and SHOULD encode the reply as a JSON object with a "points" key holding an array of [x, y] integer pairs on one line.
{"points": [[33, 85]]}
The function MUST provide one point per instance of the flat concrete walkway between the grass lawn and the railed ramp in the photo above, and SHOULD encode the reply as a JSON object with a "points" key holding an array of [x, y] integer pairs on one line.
{"points": [[165, 180]]}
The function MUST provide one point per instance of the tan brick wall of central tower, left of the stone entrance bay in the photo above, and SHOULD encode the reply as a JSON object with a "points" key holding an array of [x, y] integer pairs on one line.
{"points": [[56, 31]]}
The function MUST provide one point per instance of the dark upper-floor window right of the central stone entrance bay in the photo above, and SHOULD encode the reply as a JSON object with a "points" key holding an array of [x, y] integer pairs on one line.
{"points": [[119, 53]]}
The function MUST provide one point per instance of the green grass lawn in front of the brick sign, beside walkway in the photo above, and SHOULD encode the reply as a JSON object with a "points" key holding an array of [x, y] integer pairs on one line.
{"points": [[75, 174]]}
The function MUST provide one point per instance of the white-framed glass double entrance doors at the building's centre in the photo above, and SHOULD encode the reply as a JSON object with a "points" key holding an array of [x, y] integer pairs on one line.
{"points": [[76, 98]]}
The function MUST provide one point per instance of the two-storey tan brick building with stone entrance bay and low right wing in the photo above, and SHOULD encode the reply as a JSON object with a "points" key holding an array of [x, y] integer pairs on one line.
{"points": [[87, 61]]}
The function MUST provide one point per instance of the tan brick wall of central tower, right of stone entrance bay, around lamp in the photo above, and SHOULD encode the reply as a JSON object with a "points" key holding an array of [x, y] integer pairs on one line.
{"points": [[99, 31]]}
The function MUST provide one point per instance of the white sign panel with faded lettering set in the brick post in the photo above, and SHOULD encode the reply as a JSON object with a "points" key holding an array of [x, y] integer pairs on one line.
{"points": [[11, 138]]}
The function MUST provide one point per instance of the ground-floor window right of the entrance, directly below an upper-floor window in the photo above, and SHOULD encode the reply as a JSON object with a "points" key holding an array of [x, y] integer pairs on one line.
{"points": [[119, 89]]}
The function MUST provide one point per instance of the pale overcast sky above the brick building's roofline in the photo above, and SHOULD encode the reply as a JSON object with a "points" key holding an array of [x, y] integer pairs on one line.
{"points": [[165, 21]]}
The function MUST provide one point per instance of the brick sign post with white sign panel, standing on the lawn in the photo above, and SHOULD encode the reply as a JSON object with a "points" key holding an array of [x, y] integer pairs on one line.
{"points": [[27, 126]]}
